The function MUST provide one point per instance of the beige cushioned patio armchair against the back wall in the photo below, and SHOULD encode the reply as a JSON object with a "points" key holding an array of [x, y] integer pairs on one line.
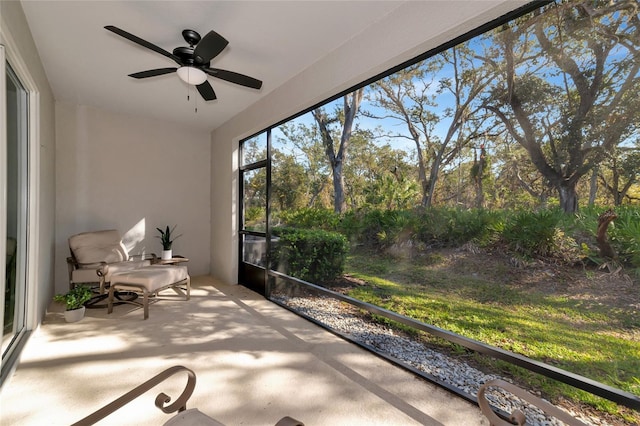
{"points": [[96, 256]]}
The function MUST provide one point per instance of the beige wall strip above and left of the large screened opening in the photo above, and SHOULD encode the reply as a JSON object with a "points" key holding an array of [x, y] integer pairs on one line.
{"points": [[404, 34]]}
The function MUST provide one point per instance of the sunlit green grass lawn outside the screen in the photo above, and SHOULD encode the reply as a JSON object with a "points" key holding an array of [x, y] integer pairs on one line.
{"points": [[544, 317]]}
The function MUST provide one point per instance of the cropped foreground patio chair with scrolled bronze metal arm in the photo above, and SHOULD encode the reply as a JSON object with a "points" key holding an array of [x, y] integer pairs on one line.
{"points": [[184, 417]]}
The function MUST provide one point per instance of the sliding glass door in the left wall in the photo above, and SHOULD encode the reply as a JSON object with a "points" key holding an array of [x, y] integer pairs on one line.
{"points": [[16, 174]]}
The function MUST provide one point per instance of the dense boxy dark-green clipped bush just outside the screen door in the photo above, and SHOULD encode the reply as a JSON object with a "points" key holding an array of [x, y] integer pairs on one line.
{"points": [[312, 255]]}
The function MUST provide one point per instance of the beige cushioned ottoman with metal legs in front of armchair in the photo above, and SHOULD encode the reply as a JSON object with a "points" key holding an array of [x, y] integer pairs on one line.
{"points": [[149, 280]]}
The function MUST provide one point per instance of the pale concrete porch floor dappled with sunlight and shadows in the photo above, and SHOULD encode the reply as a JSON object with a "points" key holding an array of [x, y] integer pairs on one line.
{"points": [[255, 363]]}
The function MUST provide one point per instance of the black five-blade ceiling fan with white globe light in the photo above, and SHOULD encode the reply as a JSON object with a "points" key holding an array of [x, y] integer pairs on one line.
{"points": [[193, 61]]}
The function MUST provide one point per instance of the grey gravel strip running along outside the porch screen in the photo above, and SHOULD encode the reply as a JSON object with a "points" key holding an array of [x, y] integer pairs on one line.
{"points": [[454, 372]]}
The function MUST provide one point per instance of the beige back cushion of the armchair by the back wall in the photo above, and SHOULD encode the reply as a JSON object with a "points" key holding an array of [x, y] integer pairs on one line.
{"points": [[98, 246]]}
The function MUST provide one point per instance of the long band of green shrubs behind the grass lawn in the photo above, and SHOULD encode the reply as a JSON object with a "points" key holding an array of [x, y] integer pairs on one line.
{"points": [[550, 233]]}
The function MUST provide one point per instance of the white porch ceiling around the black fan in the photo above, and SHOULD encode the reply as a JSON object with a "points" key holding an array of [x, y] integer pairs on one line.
{"points": [[270, 40]]}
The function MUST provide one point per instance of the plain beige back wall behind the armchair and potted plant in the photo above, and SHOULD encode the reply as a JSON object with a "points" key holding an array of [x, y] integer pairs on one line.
{"points": [[132, 174]]}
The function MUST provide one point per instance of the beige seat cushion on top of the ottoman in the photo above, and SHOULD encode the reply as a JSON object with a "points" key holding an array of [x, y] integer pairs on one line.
{"points": [[150, 277]]}
